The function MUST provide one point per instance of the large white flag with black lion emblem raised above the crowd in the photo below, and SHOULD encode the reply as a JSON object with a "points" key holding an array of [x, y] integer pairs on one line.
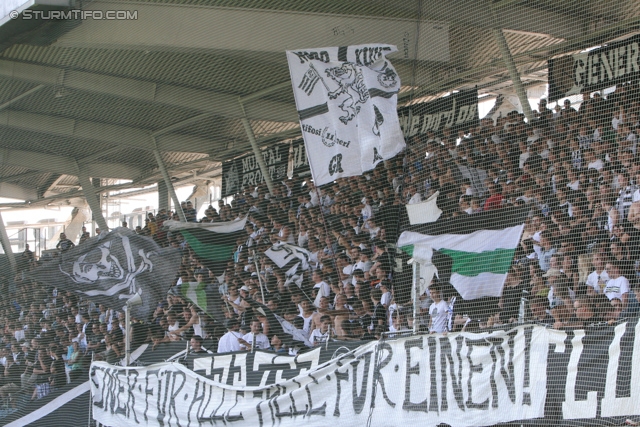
{"points": [[346, 99]]}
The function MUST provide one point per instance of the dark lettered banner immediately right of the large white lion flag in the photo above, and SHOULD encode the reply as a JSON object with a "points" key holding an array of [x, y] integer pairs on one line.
{"points": [[458, 111]]}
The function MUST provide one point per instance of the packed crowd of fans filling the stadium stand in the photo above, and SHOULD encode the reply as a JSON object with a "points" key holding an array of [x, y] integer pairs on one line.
{"points": [[577, 172]]}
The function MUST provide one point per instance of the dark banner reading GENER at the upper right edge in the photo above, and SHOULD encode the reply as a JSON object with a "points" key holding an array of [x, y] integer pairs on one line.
{"points": [[597, 69]]}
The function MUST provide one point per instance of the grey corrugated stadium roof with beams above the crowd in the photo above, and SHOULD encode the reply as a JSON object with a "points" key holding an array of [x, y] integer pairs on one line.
{"points": [[96, 97]]}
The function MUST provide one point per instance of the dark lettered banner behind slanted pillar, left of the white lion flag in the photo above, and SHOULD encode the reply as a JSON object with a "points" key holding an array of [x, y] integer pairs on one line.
{"points": [[245, 171]]}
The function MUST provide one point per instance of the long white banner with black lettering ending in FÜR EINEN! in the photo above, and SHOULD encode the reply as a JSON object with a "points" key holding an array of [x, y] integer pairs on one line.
{"points": [[461, 379]]}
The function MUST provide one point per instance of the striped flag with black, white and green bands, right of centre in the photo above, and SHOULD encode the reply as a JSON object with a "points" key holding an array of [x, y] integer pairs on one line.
{"points": [[473, 252]]}
